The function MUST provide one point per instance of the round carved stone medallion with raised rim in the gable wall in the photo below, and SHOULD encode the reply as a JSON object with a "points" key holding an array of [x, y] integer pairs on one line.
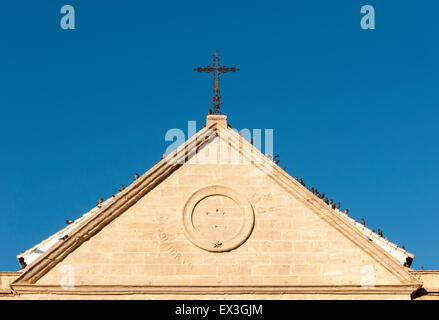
{"points": [[218, 218]]}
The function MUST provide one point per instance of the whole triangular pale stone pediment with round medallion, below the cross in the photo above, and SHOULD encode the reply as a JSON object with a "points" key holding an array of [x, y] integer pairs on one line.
{"points": [[215, 212]]}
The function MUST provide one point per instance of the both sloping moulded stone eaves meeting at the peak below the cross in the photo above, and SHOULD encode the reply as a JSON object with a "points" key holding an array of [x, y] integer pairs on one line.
{"points": [[91, 223]]}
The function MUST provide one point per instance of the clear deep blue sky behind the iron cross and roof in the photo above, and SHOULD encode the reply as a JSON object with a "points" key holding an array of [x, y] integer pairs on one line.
{"points": [[354, 112]]}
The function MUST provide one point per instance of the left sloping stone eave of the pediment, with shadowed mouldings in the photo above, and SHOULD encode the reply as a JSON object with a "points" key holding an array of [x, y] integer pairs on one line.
{"points": [[98, 218]]}
